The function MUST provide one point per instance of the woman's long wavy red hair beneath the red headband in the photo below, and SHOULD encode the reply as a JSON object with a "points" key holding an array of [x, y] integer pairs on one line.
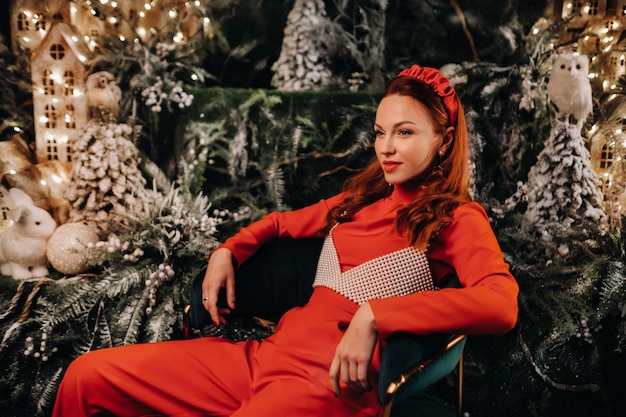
{"points": [[446, 186]]}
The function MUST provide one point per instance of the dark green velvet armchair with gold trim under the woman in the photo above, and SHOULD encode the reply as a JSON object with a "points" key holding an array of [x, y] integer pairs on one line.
{"points": [[279, 277]]}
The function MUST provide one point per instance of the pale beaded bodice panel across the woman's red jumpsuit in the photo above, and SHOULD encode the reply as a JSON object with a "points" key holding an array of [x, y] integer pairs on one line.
{"points": [[402, 272]]}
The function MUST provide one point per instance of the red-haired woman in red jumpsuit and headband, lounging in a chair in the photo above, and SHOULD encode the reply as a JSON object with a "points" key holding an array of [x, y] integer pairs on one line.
{"points": [[402, 227]]}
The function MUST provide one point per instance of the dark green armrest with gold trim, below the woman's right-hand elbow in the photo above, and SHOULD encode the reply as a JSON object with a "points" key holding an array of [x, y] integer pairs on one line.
{"points": [[410, 363]]}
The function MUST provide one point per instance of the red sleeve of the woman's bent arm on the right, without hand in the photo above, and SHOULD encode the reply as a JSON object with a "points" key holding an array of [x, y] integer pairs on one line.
{"points": [[487, 303]]}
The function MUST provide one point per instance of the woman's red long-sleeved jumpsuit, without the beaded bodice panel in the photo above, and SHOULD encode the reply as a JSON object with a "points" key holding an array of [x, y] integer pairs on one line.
{"points": [[287, 373]]}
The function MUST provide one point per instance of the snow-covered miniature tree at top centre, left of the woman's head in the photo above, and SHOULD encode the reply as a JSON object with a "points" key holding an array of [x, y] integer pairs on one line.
{"points": [[303, 60]]}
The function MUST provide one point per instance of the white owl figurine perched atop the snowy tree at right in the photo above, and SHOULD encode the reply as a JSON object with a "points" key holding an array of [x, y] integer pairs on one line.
{"points": [[569, 87]]}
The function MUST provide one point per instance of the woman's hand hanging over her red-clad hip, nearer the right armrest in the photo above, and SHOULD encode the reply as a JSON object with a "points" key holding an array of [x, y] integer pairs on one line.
{"points": [[354, 352]]}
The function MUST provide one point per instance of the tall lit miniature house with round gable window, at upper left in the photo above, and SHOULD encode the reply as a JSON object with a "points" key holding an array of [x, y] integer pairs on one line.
{"points": [[59, 102]]}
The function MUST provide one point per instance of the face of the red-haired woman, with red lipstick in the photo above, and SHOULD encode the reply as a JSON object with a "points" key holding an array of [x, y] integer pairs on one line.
{"points": [[406, 142]]}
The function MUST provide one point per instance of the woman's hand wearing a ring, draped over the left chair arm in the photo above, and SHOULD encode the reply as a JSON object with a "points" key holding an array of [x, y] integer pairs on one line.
{"points": [[220, 273]]}
